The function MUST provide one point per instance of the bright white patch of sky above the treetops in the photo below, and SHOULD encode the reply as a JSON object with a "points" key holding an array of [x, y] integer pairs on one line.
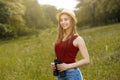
{"points": [[67, 4]]}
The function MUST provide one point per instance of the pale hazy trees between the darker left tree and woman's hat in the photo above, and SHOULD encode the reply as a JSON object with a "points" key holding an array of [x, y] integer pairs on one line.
{"points": [[39, 16]]}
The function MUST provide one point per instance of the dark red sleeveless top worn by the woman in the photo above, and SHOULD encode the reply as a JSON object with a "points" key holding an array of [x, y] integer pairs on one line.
{"points": [[70, 50]]}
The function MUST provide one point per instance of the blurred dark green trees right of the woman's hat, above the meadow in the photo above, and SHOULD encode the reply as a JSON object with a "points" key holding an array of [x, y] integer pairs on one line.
{"points": [[98, 12]]}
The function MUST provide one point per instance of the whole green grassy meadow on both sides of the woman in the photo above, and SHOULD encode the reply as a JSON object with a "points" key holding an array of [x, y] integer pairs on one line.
{"points": [[29, 58]]}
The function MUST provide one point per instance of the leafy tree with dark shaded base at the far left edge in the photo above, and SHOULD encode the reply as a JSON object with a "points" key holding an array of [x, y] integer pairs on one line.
{"points": [[11, 17]]}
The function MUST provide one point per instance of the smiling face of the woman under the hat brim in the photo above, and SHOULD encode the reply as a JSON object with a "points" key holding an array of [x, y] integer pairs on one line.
{"points": [[65, 21]]}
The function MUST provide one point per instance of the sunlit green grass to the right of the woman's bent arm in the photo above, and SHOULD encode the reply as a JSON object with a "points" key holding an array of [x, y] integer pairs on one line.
{"points": [[104, 48]]}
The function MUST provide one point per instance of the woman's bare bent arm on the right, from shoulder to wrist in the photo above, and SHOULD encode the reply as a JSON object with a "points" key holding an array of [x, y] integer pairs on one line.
{"points": [[79, 42]]}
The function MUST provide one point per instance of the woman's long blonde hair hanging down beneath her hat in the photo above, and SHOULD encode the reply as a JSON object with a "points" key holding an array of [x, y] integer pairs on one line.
{"points": [[61, 31]]}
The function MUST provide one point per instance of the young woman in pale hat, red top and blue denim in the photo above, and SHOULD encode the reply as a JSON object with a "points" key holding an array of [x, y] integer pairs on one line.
{"points": [[67, 45]]}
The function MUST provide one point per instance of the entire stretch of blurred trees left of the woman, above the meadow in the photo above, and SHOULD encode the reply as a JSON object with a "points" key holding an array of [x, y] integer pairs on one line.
{"points": [[21, 17]]}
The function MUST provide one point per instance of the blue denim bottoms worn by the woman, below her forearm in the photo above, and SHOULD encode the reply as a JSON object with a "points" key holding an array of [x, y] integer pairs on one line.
{"points": [[72, 74]]}
